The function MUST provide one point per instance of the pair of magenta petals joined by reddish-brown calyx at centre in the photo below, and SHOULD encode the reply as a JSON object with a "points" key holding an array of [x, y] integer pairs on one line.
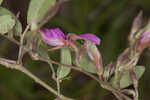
{"points": [[55, 37]]}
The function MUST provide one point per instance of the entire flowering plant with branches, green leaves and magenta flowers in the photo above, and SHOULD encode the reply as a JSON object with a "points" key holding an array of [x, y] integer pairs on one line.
{"points": [[75, 55]]}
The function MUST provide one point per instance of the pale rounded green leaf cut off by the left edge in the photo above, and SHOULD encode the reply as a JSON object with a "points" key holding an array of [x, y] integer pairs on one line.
{"points": [[6, 23]]}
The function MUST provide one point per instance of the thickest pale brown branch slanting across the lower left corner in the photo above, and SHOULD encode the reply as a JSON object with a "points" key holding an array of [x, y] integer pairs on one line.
{"points": [[12, 64]]}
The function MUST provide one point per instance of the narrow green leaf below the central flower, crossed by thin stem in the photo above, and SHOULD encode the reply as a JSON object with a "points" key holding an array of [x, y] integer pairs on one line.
{"points": [[63, 71]]}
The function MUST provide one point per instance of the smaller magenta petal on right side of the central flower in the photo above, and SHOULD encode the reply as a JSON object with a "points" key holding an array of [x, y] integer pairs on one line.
{"points": [[90, 37]]}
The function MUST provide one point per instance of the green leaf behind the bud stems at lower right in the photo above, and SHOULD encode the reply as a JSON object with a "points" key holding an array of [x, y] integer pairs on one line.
{"points": [[126, 80]]}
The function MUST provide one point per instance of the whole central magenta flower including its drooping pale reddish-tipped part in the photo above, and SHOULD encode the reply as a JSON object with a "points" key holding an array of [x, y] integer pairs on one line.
{"points": [[55, 37]]}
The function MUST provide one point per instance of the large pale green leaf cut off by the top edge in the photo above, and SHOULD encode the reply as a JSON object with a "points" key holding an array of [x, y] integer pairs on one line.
{"points": [[38, 9]]}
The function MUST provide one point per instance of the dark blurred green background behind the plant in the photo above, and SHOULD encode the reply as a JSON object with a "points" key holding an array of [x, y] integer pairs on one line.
{"points": [[108, 19]]}
